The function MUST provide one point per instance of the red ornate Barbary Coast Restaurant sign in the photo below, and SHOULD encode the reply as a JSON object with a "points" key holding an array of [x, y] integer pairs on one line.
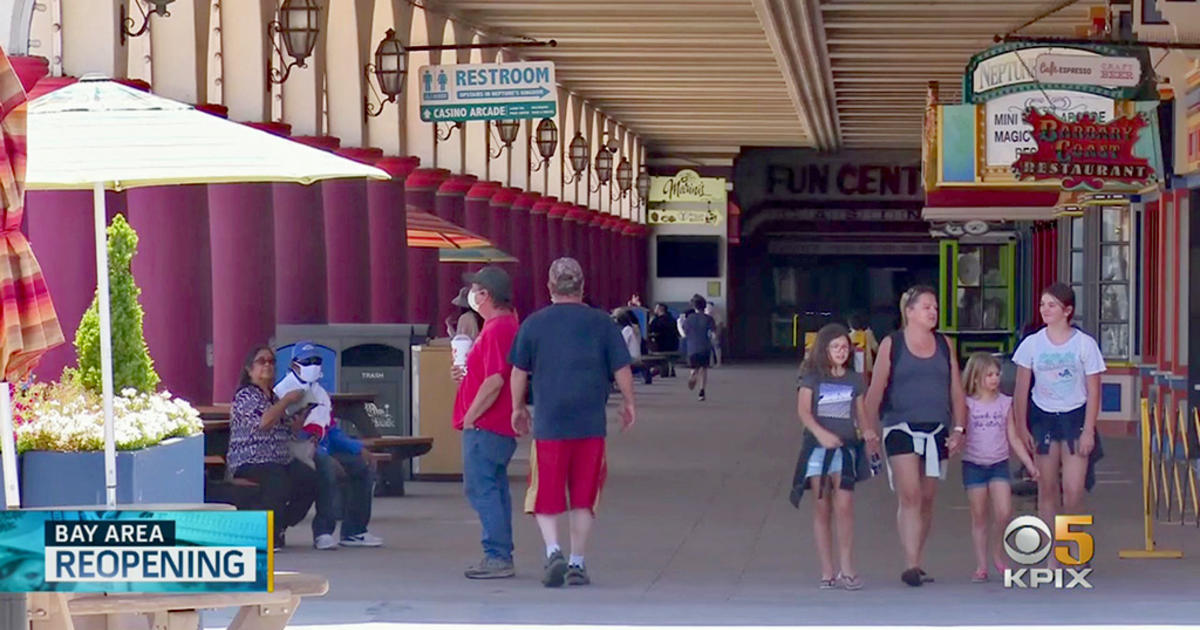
{"points": [[1084, 153]]}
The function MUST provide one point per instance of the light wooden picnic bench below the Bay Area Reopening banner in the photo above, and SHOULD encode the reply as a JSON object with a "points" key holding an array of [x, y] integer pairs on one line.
{"points": [[177, 611]]}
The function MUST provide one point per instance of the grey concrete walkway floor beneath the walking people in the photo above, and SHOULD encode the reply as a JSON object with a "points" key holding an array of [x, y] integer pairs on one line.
{"points": [[697, 530]]}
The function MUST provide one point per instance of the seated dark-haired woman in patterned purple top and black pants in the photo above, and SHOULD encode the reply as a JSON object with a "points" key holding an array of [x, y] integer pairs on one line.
{"points": [[259, 446]]}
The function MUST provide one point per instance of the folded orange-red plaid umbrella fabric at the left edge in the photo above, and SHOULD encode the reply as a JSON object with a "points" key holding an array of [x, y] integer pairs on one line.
{"points": [[27, 314]]}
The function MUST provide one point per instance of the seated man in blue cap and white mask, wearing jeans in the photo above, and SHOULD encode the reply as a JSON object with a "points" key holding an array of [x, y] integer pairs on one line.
{"points": [[345, 481]]}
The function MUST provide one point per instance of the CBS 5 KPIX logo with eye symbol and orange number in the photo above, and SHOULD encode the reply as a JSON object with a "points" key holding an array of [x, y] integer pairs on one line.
{"points": [[1029, 542]]}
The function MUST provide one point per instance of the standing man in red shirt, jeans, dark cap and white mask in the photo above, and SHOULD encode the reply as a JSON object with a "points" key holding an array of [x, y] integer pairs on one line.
{"points": [[483, 412]]}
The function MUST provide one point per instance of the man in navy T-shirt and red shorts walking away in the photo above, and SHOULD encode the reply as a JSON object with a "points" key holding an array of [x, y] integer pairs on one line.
{"points": [[573, 352]]}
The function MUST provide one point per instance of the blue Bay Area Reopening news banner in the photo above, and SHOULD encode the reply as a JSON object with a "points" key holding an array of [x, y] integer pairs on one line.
{"points": [[136, 551]]}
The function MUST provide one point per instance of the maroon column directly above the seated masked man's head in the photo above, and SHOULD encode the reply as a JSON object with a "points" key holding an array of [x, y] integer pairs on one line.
{"points": [[301, 279]]}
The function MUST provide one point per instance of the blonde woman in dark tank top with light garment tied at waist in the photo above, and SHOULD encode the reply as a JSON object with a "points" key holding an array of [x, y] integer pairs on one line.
{"points": [[920, 391]]}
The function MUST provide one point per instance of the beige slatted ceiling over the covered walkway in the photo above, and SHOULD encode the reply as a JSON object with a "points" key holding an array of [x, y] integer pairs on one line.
{"points": [[700, 79]]}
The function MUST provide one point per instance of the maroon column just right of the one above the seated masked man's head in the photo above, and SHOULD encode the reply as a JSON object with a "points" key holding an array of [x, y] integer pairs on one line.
{"points": [[349, 243]]}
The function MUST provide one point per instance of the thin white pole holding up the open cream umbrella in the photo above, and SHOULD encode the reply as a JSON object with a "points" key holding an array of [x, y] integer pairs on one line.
{"points": [[106, 341]]}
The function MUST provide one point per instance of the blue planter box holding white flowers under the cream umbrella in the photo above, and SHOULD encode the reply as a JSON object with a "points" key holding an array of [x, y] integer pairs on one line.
{"points": [[172, 472]]}
